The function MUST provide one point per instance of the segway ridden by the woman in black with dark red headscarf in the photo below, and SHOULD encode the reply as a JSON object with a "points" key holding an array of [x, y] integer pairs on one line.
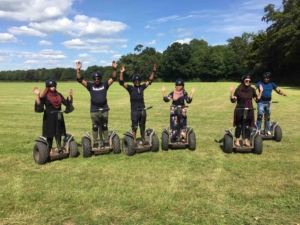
{"points": [[41, 151]]}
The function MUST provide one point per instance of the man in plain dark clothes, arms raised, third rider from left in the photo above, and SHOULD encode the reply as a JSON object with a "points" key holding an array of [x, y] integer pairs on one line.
{"points": [[136, 93]]}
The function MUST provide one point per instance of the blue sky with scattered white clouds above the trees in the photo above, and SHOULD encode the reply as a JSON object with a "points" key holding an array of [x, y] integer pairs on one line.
{"points": [[57, 33]]}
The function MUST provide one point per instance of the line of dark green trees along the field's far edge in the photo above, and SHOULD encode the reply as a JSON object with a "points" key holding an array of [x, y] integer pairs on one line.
{"points": [[277, 50]]}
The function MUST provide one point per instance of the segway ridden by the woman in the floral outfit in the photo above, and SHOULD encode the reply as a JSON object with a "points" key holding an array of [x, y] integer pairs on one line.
{"points": [[179, 143]]}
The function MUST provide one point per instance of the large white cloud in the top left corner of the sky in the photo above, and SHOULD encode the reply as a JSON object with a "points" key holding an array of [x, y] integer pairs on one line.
{"points": [[34, 10]]}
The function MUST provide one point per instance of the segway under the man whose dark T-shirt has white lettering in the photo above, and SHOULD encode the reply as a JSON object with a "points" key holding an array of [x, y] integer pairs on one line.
{"points": [[87, 142]]}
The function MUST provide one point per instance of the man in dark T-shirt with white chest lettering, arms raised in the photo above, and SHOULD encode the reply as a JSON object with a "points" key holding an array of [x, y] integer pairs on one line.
{"points": [[98, 92]]}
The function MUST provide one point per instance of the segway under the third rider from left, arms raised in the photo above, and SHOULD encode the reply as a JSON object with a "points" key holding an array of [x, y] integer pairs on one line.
{"points": [[148, 142]]}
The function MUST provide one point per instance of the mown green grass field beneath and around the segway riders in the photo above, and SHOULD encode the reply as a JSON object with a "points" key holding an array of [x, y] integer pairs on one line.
{"points": [[205, 186]]}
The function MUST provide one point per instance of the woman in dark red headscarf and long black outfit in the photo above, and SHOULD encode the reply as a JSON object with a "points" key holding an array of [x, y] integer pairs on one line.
{"points": [[52, 100]]}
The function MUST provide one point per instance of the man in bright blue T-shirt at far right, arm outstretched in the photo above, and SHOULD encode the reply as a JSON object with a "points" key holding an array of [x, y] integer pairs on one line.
{"points": [[266, 97]]}
